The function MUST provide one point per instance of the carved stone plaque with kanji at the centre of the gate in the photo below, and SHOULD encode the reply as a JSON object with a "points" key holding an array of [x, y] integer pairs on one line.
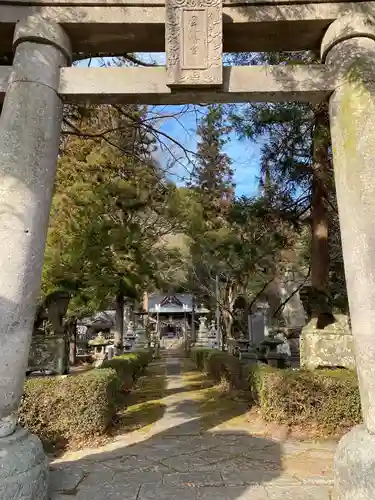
{"points": [[193, 42]]}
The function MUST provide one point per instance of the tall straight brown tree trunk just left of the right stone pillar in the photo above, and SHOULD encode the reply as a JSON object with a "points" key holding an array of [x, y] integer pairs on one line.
{"points": [[319, 213]]}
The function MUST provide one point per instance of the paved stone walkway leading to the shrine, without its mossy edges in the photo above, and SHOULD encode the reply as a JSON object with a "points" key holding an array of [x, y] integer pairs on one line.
{"points": [[178, 460]]}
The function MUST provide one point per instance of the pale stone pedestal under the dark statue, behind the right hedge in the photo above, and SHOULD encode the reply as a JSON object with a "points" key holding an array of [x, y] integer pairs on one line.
{"points": [[328, 347]]}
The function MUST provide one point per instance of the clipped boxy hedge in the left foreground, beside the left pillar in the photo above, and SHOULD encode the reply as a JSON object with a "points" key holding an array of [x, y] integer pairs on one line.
{"points": [[62, 409]]}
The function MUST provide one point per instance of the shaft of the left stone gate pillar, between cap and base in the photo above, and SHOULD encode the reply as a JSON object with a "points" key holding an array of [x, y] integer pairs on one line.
{"points": [[29, 142]]}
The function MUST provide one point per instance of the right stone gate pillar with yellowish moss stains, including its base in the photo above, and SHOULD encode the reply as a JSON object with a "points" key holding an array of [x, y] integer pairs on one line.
{"points": [[349, 46]]}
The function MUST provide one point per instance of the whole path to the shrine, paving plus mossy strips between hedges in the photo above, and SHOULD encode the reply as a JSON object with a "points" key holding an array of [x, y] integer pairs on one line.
{"points": [[190, 440]]}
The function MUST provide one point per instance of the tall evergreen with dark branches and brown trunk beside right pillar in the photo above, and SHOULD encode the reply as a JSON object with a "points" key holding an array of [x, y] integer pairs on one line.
{"points": [[296, 165]]}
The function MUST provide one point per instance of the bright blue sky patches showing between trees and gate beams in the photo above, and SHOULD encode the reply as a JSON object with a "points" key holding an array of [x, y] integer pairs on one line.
{"points": [[180, 123]]}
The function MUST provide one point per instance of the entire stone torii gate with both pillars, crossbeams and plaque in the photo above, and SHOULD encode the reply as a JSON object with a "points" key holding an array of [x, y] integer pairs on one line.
{"points": [[45, 35]]}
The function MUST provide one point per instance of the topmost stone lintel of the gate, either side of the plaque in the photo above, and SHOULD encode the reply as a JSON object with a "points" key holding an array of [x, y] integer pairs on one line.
{"points": [[127, 26]]}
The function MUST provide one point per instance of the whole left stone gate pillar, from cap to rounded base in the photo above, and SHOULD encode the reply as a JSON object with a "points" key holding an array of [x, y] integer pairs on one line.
{"points": [[30, 127]]}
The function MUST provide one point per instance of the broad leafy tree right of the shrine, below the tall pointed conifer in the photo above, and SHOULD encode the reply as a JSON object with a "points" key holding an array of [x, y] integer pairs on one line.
{"points": [[246, 252]]}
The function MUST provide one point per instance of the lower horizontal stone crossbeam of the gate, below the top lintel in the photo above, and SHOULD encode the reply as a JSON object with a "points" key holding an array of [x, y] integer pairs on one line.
{"points": [[307, 83]]}
